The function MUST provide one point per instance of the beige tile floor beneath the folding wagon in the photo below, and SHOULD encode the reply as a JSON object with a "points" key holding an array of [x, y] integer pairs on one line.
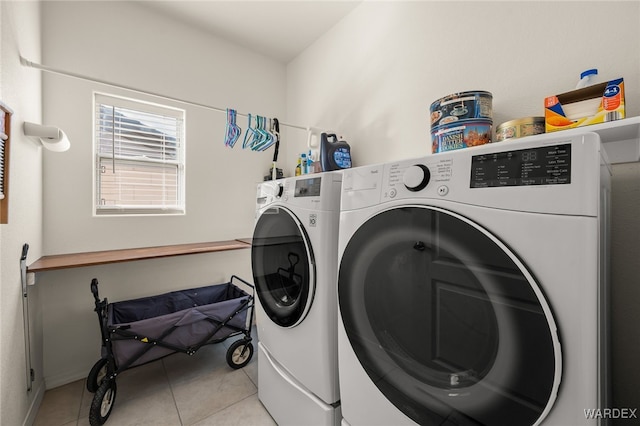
{"points": [[178, 390]]}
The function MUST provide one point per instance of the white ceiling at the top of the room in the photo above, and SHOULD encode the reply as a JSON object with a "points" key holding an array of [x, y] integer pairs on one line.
{"points": [[278, 29]]}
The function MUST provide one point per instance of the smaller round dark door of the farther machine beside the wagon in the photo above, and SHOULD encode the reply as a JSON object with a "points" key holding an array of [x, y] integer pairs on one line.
{"points": [[283, 266]]}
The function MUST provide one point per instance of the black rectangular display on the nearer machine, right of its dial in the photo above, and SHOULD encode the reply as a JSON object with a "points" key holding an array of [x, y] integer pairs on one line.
{"points": [[547, 165]]}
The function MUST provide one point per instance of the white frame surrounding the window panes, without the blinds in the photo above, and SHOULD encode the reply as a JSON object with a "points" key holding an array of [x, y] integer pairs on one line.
{"points": [[146, 107]]}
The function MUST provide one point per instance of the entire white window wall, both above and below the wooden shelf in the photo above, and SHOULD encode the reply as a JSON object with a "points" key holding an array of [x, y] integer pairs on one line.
{"points": [[132, 45]]}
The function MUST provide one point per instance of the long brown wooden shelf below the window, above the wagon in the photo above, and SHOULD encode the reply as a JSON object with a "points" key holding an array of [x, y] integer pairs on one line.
{"points": [[76, 260]]}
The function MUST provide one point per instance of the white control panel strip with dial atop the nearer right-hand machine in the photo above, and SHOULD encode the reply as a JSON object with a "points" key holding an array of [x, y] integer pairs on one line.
{"points": [[548, 173]]}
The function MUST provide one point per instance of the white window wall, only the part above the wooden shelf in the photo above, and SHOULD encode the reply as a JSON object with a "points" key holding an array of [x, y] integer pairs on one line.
{"points": [[132, 45]]}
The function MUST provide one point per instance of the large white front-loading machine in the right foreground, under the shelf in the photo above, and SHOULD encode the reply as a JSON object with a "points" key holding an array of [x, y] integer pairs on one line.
{"points": [[473, 286]]}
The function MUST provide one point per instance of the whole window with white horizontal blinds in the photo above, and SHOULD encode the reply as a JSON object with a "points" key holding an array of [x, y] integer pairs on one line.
{"points": [[139, 157]]}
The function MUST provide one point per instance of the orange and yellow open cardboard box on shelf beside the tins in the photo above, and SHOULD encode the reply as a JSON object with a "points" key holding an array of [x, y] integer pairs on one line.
{"points": [[595, 104]]}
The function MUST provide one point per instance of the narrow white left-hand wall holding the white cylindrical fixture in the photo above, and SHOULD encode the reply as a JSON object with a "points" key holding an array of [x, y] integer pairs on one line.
{"points": [[20, 90]]}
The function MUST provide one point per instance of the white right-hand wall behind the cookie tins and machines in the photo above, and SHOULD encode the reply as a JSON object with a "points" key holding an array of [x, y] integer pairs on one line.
{"points": [[374, 75]]}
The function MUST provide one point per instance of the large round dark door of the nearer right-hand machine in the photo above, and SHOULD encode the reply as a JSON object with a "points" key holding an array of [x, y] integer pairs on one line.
{"points": [[447, 322]]}
